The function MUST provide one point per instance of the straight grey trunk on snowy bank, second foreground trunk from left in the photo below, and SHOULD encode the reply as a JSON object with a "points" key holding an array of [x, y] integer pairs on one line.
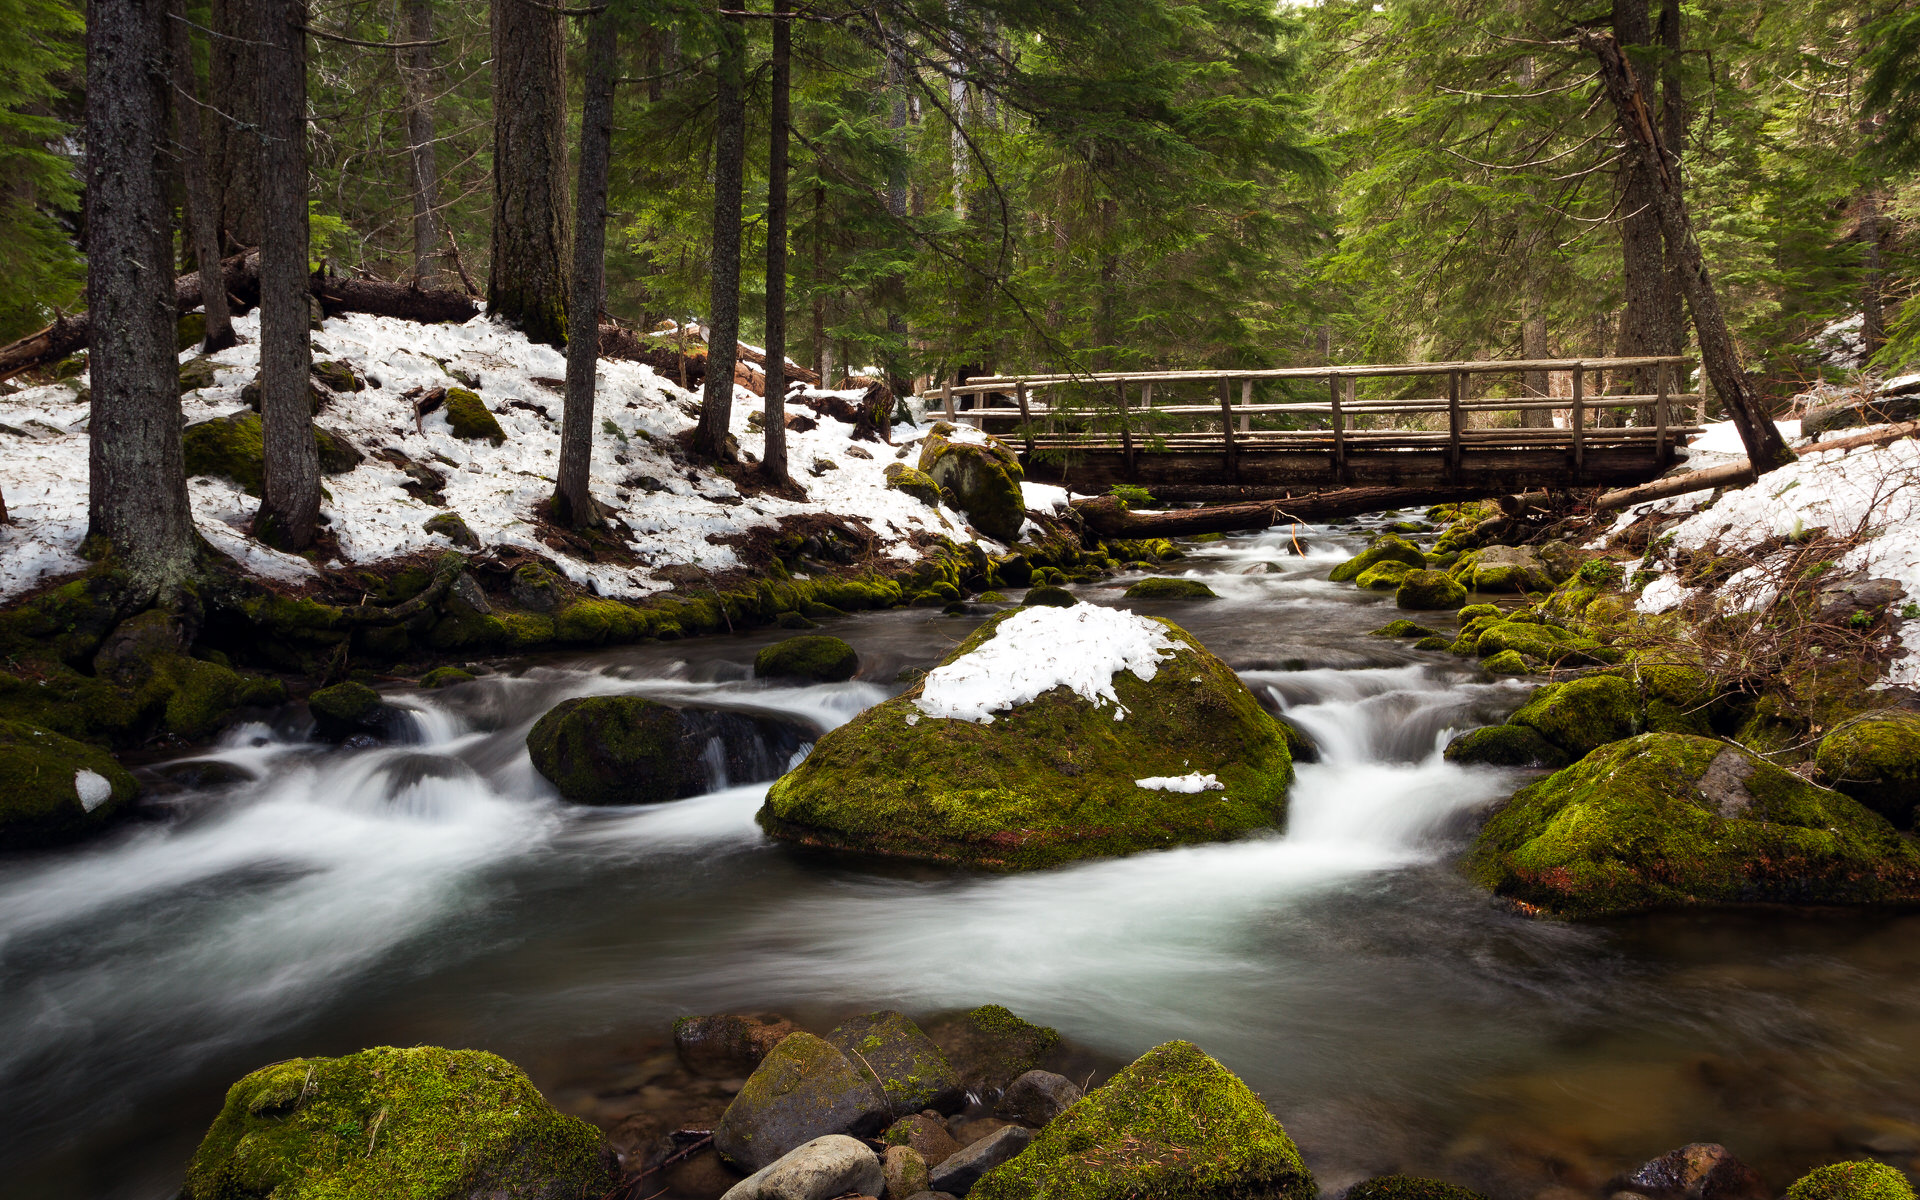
{"points": [[291, 504]]}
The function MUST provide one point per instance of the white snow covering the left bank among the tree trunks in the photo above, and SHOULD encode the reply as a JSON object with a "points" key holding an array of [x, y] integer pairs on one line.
{"points": [[677, 514]]}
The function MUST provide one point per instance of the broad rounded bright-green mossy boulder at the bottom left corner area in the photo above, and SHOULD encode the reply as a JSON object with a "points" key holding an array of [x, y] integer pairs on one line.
{"points": [[387, 1124]]}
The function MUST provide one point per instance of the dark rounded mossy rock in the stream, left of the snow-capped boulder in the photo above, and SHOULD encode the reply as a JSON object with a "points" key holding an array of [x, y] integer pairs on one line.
{"points": [[613, 750]]}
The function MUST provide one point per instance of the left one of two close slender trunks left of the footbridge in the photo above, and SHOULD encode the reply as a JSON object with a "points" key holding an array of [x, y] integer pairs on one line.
{"points": [[723, 324]]}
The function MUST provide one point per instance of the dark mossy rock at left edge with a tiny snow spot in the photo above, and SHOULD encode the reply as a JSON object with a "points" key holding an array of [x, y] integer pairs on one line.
{"points": [[55, 788]]}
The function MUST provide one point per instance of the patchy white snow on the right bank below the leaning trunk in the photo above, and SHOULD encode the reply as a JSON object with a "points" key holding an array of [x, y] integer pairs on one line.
{"points": [[1873, 492]]}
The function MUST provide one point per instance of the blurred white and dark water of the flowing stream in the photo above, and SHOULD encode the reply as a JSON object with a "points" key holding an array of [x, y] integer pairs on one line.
{"points": [[300, 900]]}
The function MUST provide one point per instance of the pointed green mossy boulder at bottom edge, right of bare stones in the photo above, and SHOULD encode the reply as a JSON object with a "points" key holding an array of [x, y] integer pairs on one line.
{"points": [[1174, 1126]]}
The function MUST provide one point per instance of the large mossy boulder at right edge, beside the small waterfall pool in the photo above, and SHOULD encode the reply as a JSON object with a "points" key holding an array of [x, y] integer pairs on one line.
{"points": [[1666, 821]]}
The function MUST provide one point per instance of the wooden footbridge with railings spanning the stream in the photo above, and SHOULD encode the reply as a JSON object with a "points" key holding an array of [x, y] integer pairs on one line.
{"points": [[1403, 425]]}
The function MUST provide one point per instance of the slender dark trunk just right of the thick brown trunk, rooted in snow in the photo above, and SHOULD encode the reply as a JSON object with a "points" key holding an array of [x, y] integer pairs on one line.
{"points": [[573, 502]]}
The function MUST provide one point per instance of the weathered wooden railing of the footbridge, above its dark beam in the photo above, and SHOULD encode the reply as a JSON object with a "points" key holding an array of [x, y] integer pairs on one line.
{"points": [[1053, 412]]}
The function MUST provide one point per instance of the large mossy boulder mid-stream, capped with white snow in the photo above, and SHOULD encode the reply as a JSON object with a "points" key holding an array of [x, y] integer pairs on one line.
{"points": [[1047, 736]]}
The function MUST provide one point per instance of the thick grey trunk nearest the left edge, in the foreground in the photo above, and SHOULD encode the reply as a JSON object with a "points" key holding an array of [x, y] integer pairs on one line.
{"points": [[137, 481]]}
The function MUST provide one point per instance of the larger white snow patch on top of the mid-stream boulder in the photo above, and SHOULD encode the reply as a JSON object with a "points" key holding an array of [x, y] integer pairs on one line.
{"points": [[1040, 650]]}
